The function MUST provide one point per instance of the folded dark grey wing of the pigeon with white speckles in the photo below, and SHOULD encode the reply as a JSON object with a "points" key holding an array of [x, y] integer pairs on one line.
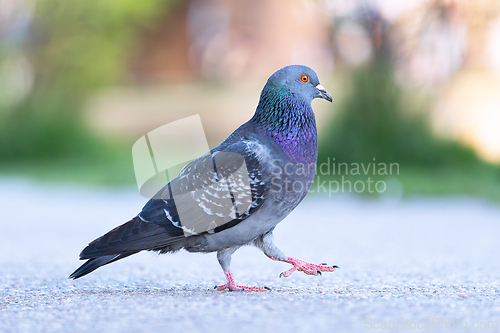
{"points": [[212, 193]]}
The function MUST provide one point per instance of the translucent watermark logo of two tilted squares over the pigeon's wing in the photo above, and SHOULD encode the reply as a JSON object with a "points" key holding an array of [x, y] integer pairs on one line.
{"points": [[208, 193]]}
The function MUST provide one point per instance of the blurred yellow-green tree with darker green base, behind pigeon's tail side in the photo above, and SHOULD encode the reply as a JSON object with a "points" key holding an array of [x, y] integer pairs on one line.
{"points": [[74, 47]]}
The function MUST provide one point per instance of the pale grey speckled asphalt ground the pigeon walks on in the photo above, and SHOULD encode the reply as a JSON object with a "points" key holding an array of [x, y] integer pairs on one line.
{"points": [[418, 265]]}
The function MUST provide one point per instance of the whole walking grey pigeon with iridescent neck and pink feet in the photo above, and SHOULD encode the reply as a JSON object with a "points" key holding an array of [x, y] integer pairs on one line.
{"points": [[235, 194]]}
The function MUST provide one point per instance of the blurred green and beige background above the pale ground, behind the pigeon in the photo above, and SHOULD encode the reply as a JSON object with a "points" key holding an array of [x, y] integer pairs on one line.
{"points": [[415, 83]]}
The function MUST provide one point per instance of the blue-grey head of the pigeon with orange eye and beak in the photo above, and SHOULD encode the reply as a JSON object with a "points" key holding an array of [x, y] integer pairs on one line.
{"points": [[299, 81]]}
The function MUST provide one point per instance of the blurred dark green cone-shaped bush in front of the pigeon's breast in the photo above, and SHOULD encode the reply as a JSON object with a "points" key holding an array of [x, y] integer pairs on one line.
{"points": [[375, 121]]}
